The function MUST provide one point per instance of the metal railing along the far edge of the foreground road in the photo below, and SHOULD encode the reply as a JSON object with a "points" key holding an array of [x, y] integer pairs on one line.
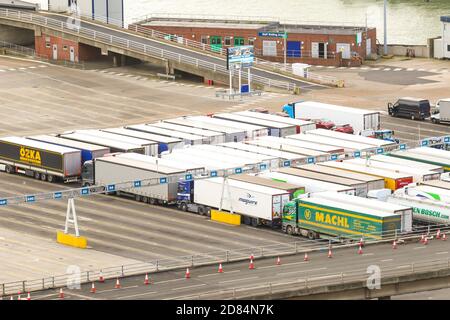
{"points": [[211, 258]]}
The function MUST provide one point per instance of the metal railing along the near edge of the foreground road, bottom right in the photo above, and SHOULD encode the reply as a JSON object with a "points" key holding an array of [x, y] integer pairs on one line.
{"points": [[307, 283]]}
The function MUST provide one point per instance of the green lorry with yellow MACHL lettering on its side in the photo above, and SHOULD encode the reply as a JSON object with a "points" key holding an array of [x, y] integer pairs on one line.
{"points": [[324, 218]]}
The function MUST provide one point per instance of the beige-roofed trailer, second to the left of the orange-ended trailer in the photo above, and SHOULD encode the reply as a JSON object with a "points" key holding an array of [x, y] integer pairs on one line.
{"points": [[361, 188]]}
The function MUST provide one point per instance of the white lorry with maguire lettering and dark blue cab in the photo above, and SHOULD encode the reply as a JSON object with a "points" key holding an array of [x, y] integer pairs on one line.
{"points": [[258, 205]]}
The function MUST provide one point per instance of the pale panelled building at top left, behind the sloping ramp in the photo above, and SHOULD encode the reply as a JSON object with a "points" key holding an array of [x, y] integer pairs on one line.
{"points": [[108, 11]]}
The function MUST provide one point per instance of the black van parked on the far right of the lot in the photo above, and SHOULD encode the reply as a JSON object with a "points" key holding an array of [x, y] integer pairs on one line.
{"points": [[412, 108]]}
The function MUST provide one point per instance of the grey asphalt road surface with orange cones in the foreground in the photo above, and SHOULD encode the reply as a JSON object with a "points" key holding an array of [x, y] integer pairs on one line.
{"points": [[174, 285]]}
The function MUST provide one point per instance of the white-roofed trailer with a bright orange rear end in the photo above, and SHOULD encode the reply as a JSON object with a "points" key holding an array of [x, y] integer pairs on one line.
{"points": [[392, 180]]}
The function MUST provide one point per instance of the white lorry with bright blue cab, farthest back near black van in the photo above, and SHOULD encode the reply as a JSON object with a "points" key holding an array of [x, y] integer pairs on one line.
{"points": [[360, 119]]}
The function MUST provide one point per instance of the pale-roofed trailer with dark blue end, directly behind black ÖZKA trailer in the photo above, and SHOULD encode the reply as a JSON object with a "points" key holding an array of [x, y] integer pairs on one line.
{"points": [[88, 151]]}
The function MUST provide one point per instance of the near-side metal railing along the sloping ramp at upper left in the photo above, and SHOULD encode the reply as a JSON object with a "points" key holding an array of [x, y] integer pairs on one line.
{"points": [[134, 46]]}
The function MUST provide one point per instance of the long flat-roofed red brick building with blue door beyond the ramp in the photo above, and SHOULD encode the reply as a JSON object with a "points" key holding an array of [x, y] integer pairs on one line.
{"points": [[312, 44]]}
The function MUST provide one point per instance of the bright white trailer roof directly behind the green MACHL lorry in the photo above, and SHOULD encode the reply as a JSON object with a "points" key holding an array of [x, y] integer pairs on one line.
{"points": [[310, 185]]}
